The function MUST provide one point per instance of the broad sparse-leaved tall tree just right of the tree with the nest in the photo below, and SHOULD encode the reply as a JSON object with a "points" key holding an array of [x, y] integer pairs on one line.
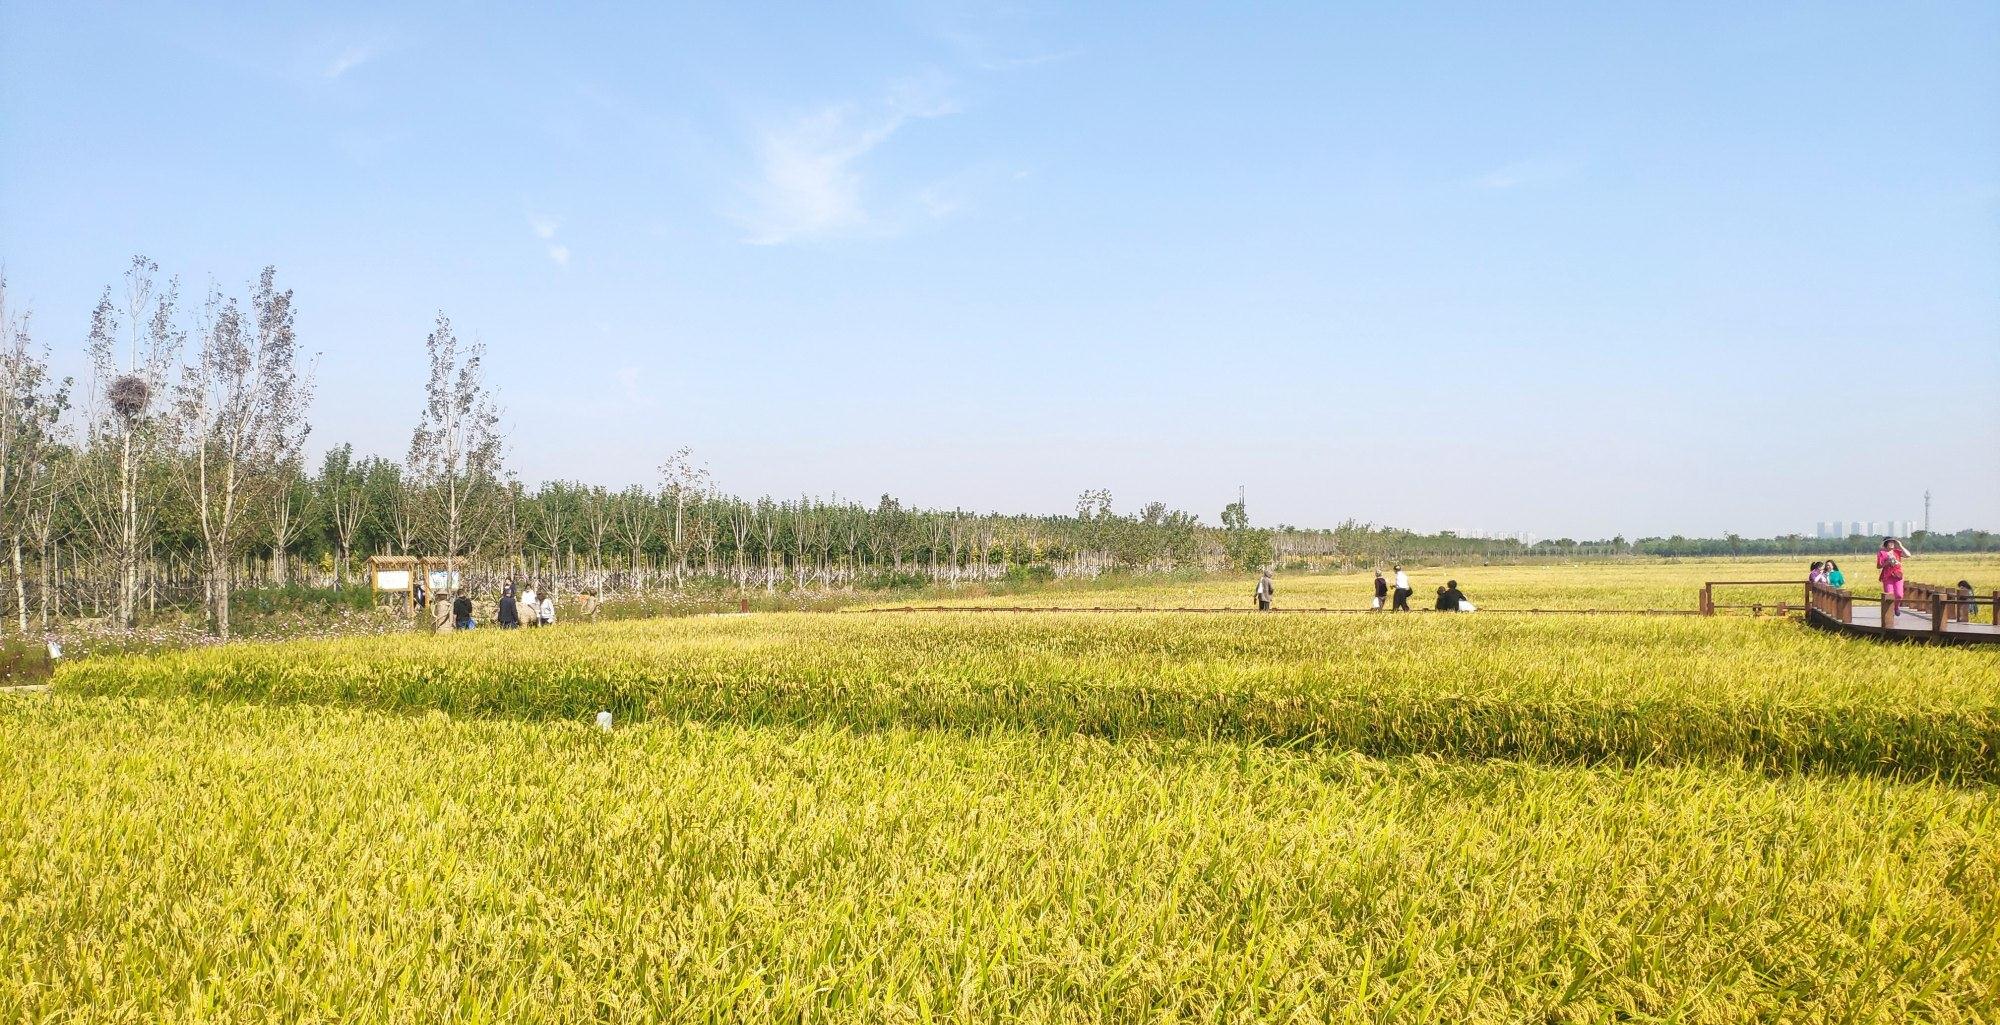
{"points": [[241, 421]]}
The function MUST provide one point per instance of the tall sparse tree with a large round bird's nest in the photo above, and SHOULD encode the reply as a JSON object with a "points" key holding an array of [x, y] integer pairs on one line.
{"points": [[123, 429]]}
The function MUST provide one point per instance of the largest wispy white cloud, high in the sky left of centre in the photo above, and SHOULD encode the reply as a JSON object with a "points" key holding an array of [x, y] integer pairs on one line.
{"points": [[809, 181]]}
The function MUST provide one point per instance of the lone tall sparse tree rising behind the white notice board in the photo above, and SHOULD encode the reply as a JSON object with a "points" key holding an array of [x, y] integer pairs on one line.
{"points": [[455, 453]]}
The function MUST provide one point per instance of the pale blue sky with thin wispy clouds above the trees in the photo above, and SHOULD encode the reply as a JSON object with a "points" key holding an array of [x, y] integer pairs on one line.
{"points": [[1569, 269]]}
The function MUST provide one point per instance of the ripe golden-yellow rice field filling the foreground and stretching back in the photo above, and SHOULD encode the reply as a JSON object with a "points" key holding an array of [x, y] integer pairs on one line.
{"points": [[1021, 818]]}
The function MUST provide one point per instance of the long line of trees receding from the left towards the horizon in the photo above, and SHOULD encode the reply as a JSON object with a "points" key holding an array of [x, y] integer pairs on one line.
{"points": [[179, 471]]}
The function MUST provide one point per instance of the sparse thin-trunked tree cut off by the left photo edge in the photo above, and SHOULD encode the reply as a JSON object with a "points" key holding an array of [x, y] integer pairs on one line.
{"points": [[31, 433]]}
